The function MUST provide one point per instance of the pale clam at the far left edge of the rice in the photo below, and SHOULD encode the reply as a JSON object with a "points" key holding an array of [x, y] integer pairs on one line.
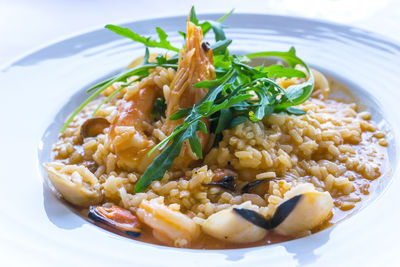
{"points": [[75, 183]]}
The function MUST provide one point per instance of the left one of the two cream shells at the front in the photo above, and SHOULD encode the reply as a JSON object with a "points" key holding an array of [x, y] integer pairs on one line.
{"points": [[229, 226]]}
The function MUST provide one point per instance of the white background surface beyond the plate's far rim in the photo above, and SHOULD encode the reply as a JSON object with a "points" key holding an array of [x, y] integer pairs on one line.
{"points": [[28, 24]]}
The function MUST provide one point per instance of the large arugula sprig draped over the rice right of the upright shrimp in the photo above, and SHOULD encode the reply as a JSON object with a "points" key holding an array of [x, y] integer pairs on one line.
{"points": [[242, 93]]}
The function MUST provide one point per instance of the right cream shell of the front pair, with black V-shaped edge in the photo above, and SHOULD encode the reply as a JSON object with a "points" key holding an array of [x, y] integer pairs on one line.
{"points": [[294, 216]]}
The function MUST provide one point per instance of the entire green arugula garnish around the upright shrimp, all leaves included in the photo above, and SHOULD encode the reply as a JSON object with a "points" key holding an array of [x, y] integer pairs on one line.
{"points": [[239, 93]]}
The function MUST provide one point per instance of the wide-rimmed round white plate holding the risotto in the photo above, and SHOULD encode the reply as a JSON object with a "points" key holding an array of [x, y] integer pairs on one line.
{"points": [[37, 229]]}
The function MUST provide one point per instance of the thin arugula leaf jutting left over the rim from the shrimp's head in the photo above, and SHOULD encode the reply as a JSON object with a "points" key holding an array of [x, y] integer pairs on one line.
{"points": [[163, 43]]}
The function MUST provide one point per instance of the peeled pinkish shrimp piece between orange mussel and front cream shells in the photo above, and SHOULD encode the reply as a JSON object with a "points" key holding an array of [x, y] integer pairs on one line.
{"points": [[169, 225]]}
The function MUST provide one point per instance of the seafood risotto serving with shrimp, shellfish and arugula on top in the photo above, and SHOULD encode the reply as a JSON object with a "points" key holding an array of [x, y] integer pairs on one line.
{"points": [[132, 160]]}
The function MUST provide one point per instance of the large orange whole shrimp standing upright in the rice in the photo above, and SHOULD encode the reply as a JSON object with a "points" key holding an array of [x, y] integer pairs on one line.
{"points": [[131, 133]]}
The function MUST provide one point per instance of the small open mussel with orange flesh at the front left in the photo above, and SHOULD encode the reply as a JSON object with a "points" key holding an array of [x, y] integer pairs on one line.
{"points": [[117, 218]]}
